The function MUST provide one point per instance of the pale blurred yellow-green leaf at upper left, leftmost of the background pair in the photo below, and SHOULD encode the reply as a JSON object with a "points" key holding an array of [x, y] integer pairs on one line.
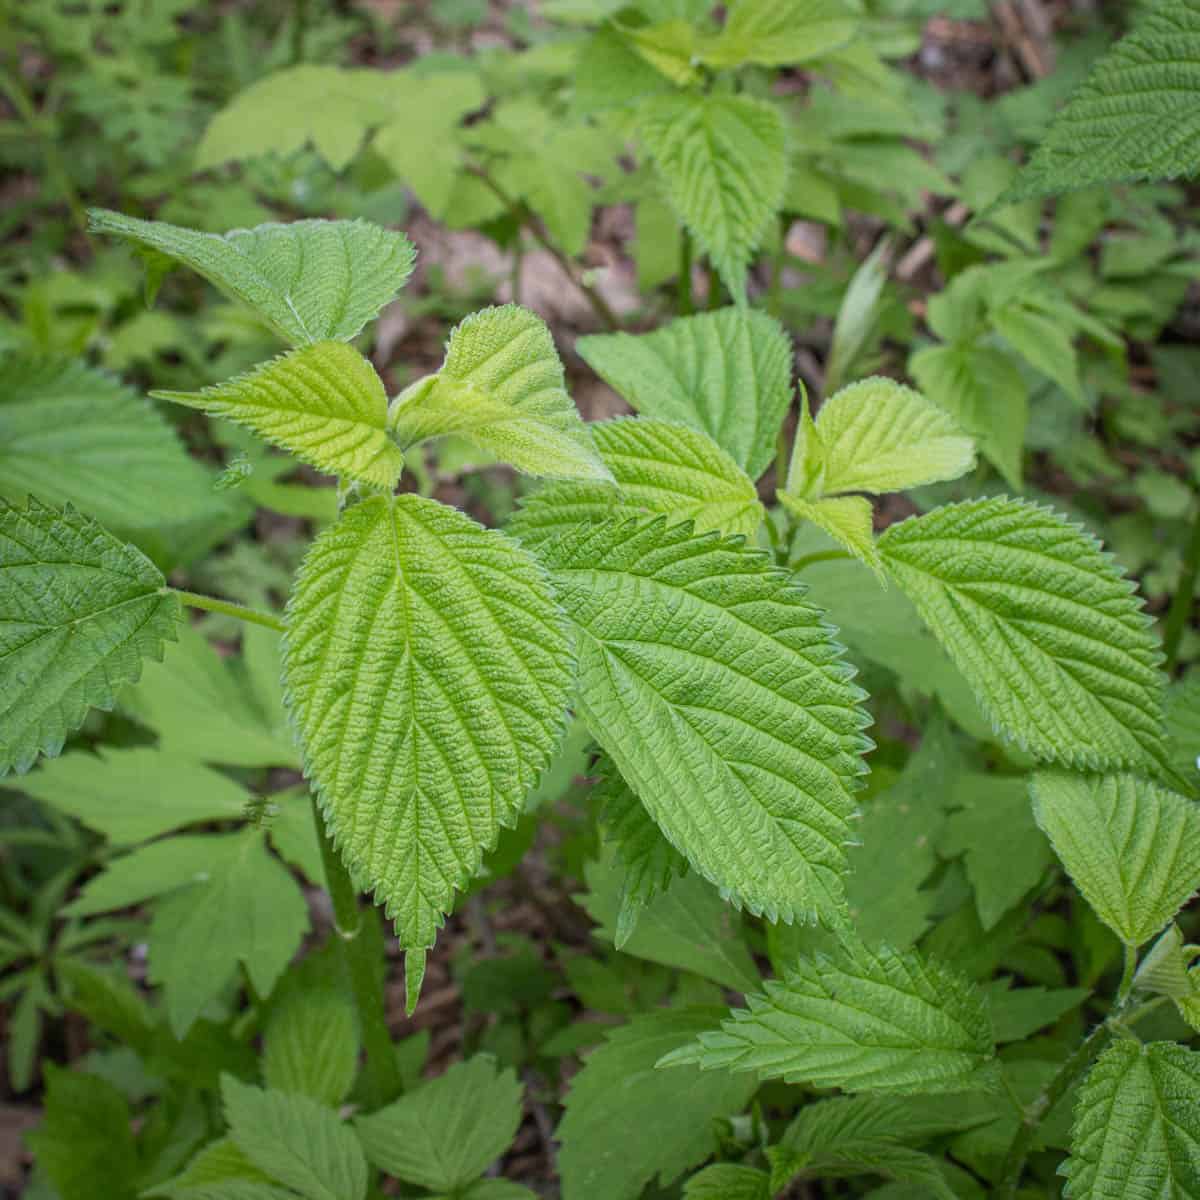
{"points": [[331, 107]]}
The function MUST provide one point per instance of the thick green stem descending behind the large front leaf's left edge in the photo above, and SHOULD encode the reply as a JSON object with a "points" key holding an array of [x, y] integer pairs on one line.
{"points": [[381, 1077]]}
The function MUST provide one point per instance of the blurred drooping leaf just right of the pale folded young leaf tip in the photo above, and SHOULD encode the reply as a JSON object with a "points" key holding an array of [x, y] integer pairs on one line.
{"points": [[985, 392]]}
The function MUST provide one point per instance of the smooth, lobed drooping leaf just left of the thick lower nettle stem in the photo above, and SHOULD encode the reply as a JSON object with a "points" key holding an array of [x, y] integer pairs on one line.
{"points": [[247, 911]]}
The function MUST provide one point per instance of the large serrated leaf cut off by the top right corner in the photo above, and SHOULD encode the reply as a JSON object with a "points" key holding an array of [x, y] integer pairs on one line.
{"points": [[1133, 118]]}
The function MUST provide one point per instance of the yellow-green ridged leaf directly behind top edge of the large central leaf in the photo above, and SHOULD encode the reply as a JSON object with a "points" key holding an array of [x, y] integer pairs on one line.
{"points": [[658, 467]]}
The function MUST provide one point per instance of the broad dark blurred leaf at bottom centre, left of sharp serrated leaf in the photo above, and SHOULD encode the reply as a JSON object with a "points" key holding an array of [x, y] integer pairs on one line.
{"points": [[627, 1123]]}
